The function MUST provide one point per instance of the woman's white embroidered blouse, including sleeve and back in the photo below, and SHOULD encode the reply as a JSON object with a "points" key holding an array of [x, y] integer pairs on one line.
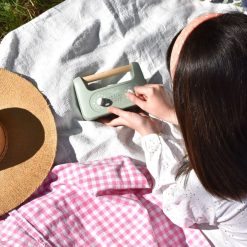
{"points": [[192, 204]]}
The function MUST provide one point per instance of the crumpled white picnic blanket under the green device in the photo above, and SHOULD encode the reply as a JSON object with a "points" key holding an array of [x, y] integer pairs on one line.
{"points": [[81, 37]]}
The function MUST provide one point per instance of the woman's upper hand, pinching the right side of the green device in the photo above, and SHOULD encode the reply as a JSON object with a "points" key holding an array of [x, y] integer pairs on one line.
{"points": [[153, 99]]}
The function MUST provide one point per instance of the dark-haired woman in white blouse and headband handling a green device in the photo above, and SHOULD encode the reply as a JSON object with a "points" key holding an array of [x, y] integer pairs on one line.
{"points": [[208, 67]]}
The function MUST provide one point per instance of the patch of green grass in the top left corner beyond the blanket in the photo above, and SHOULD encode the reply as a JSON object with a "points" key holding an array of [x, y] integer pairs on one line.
{"points": [[14, 13]]}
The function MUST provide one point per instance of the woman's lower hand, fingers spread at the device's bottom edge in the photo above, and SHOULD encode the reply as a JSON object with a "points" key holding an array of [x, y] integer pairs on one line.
{"points": [[137, 121]]}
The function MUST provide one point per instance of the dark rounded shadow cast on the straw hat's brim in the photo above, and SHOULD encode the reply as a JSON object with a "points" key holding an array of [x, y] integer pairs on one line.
{"points": [[25, 136]]}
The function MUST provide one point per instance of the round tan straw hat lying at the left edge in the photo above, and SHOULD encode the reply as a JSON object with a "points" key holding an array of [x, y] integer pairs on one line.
{"points": [[28, 140]]}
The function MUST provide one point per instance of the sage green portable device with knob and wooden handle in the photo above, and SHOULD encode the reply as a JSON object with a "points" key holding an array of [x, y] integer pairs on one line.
{"points": [[93, 103]]}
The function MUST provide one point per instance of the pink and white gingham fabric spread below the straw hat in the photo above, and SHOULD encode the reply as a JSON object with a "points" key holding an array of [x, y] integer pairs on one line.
{"points": [[99, 203]]}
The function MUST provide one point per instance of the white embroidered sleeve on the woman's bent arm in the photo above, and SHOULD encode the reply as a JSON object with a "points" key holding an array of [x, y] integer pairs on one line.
{"points": [[185, 205]]}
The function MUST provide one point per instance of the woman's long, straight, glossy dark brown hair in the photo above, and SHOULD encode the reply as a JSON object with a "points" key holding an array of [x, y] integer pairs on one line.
{"points": [[210, 97]]}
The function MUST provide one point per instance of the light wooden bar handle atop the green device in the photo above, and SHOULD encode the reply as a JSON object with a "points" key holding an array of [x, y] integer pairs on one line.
{"points": [[106, 74]]}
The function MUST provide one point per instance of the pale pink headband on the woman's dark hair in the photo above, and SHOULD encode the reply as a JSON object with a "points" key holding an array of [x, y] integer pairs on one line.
{"points": [[183, 36]]}
